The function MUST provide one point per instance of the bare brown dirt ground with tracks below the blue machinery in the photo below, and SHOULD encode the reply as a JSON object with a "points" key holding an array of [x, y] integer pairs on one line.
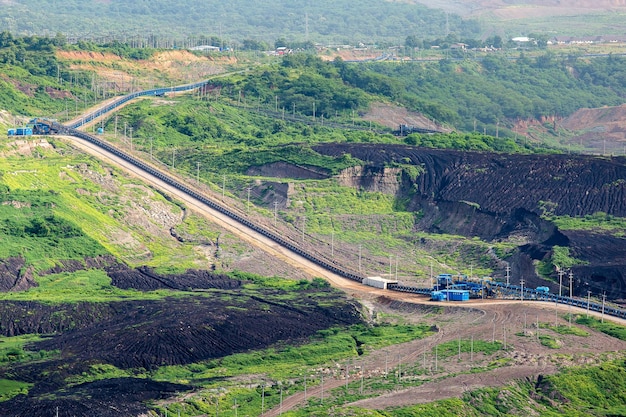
{"points": [[448, 377]]}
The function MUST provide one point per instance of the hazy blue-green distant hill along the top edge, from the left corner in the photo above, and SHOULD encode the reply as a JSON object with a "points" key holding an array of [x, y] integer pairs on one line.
{"points": [[372, 21]]}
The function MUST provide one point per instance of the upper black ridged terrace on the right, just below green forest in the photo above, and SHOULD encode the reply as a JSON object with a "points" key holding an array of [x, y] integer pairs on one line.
{"points": [[500, 183]]}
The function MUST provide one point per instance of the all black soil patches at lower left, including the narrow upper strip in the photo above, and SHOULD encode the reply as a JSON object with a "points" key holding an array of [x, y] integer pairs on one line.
{"points": [[152, 333]]}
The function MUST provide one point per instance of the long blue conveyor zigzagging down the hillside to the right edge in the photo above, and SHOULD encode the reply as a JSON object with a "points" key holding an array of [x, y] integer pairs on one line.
{"points": [[539, 293]]}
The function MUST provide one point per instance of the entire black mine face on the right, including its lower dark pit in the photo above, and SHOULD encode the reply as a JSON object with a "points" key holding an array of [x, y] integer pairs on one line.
{"points": [[498, 196]]}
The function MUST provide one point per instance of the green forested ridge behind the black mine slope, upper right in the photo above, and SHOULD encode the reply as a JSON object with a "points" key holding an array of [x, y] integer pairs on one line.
{"points": [[465, 94]]}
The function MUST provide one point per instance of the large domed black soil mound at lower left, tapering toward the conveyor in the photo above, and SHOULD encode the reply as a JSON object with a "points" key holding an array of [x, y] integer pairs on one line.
{"points": [[186, 330]]}
